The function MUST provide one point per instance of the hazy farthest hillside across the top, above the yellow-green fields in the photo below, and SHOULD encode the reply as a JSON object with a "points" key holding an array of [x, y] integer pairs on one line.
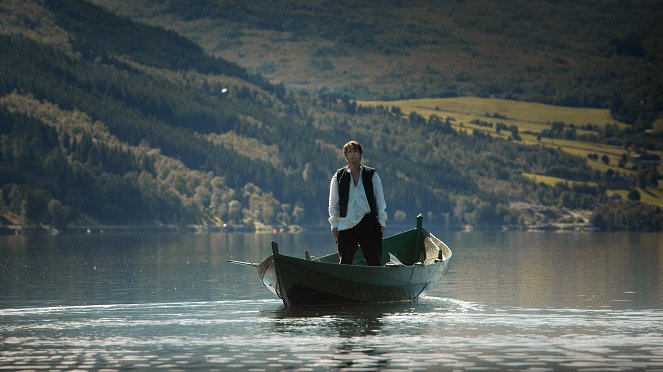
{"points": [[606, 54]]}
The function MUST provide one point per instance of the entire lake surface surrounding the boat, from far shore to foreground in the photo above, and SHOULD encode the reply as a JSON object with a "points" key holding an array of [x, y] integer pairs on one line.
{"points": [[519, 301]]}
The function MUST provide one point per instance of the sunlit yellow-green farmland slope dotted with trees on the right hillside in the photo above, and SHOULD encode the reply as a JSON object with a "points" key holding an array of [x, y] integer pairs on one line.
{"points": [[609, 146]]}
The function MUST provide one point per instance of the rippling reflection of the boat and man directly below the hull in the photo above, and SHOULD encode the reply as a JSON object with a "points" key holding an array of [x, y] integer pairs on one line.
{"points": [[364, 336]]}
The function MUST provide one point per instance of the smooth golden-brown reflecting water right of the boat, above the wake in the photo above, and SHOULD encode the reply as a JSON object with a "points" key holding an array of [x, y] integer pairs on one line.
{"points": [[593, 270]]}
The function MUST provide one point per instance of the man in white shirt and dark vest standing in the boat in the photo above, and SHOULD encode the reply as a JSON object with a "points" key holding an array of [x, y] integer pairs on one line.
{"points": [[357, 208]]}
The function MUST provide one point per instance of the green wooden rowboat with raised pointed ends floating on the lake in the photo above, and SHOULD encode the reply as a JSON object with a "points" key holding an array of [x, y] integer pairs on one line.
{"points": [[413, 261]]}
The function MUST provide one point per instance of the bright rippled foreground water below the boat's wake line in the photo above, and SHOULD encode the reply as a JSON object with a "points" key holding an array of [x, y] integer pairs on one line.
{"points": [[260, 334]]}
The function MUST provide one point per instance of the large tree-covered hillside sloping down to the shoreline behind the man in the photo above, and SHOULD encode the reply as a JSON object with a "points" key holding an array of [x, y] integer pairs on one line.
{"points": [[131, 124]]}
